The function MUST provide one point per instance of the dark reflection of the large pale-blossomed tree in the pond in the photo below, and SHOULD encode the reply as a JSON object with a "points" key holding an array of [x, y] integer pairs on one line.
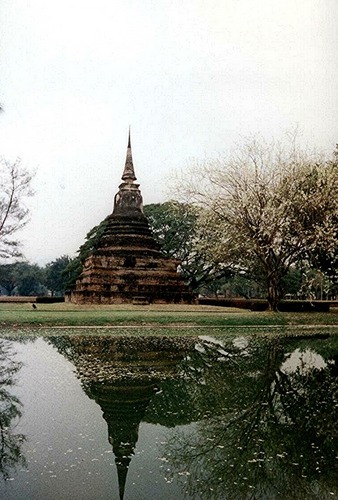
{"points": [[264, 430]]}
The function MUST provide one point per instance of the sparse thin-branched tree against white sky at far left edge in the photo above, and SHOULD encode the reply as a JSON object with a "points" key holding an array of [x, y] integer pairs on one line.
{"points": [[15, 183]]}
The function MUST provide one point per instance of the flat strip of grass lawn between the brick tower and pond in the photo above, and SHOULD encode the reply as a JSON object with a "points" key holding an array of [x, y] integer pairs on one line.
{"points": [[180, 317]]}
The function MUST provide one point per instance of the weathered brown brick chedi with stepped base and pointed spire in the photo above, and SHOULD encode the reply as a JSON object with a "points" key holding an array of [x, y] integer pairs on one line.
{"points": [[127, 264]]}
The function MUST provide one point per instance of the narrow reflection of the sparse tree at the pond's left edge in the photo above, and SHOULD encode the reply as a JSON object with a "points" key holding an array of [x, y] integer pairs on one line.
{"points": [[10, 411]]}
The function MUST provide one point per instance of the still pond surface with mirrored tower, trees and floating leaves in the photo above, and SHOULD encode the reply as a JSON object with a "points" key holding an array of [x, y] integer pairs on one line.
{"points": [[101, 417]]}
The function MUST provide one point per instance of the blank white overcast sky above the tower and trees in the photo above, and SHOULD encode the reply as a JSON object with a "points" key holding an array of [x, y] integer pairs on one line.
{"points": [[191, 77]]}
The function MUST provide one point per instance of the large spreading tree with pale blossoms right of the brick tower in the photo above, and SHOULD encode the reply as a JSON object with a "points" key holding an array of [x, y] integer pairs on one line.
{"points": [[267, 208]]}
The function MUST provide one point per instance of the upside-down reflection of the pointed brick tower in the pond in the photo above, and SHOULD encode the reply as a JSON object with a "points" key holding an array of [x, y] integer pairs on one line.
{"points": [[122, 375]]}
